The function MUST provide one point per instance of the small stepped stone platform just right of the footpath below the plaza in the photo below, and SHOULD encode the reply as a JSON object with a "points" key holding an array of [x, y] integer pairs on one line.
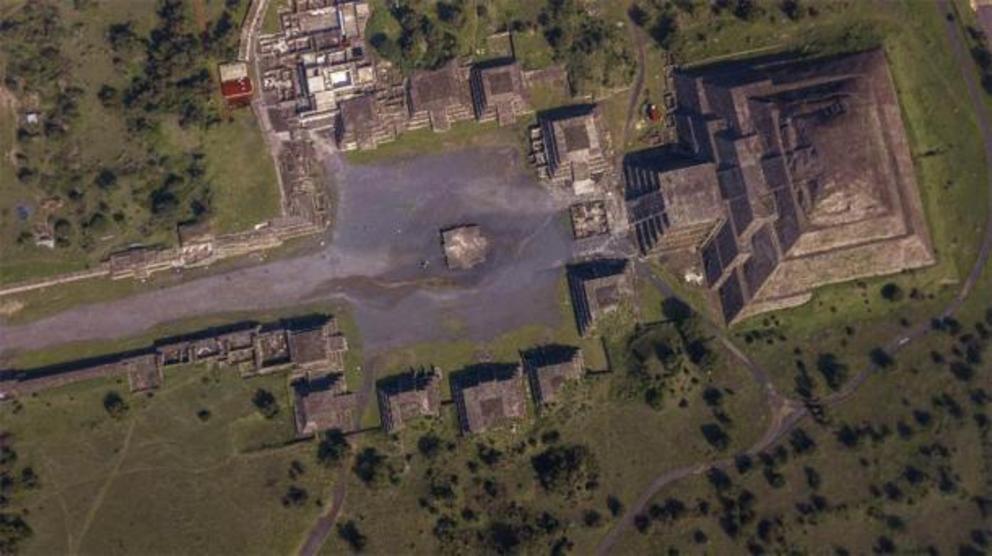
{"points": [[407, 396]]}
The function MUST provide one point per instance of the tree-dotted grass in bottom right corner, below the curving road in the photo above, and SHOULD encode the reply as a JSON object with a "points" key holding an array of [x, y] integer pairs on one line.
{"points": [[868, 495]]}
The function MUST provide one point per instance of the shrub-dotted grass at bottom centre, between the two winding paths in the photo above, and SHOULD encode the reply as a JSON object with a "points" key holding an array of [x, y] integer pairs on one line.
{"points": [[629, 441]]}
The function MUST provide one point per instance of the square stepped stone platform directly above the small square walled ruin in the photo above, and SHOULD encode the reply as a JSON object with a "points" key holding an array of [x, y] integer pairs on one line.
{"points": [[573, 148]]}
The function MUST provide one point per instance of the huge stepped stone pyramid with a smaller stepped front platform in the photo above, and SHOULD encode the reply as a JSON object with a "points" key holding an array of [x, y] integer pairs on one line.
{"points": [[788, 175]]}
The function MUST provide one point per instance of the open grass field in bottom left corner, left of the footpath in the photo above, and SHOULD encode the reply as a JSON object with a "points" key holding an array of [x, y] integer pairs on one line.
{"points": [[162, 478]]}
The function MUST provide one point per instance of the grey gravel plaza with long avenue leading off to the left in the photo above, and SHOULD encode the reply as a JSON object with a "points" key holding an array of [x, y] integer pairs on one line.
{"points": [[388, 224]]}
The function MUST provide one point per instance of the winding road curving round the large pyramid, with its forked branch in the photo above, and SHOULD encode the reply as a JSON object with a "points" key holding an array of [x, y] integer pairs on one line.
{"points": [[786, 413]]}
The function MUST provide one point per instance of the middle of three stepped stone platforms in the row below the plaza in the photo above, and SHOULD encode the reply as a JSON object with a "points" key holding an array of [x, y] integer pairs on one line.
{"points": [[487, 396]]}
